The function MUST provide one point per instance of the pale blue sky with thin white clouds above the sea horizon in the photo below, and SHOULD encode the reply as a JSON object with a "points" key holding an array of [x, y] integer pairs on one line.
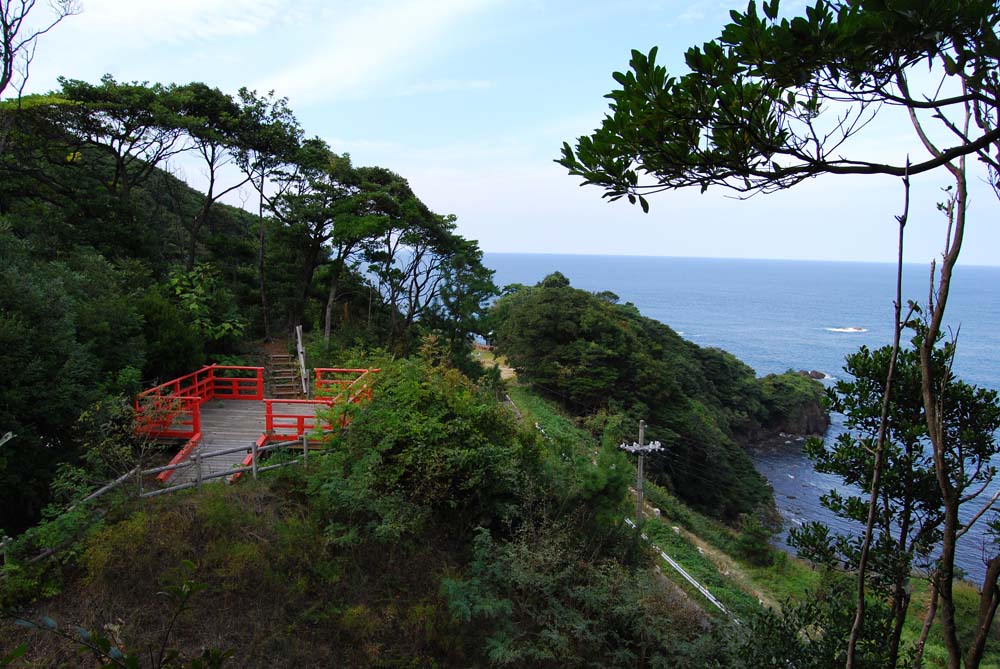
{"points": [[471, 100]]}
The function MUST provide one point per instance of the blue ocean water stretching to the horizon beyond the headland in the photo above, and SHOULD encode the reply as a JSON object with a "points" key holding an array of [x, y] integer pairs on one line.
{"points": [[777, 315]]}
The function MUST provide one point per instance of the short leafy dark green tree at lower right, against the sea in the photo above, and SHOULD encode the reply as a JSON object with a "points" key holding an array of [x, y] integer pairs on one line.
{"points": [[909, 516]]}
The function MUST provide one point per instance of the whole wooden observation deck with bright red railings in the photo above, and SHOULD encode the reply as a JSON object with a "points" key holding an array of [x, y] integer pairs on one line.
{"points": [[222, 407]]}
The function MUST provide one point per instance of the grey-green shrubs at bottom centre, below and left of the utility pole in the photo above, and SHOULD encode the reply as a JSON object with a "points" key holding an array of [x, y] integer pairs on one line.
{"points": [[532, 603]]}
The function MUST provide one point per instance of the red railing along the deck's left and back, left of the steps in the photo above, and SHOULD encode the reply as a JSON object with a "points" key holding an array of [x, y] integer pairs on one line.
{"points": [[173, 409]]}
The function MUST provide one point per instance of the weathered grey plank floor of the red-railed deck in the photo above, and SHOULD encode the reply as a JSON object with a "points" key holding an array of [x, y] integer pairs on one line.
{"points": [[229, 424]]}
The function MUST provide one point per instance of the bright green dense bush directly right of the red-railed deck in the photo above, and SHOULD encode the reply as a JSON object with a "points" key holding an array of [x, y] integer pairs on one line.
{"points": [[430, 445]]}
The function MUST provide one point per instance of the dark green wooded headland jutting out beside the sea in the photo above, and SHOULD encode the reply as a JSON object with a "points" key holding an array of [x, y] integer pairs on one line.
{"points": [[600, 359]]}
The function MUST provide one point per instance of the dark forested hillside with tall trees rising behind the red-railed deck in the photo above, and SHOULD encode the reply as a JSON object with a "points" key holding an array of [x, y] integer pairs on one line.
{"points": [[117, 274]]}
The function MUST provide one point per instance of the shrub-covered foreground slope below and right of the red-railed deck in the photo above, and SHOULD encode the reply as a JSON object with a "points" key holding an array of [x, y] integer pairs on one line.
{"points": [[437, 531]]}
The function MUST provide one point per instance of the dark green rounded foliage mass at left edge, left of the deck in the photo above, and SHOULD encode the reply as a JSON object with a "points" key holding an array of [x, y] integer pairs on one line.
{"points": [[58, 316]]}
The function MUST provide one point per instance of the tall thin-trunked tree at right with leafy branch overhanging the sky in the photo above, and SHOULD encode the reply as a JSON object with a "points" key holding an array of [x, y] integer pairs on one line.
{"points": [[773, 102]]}
